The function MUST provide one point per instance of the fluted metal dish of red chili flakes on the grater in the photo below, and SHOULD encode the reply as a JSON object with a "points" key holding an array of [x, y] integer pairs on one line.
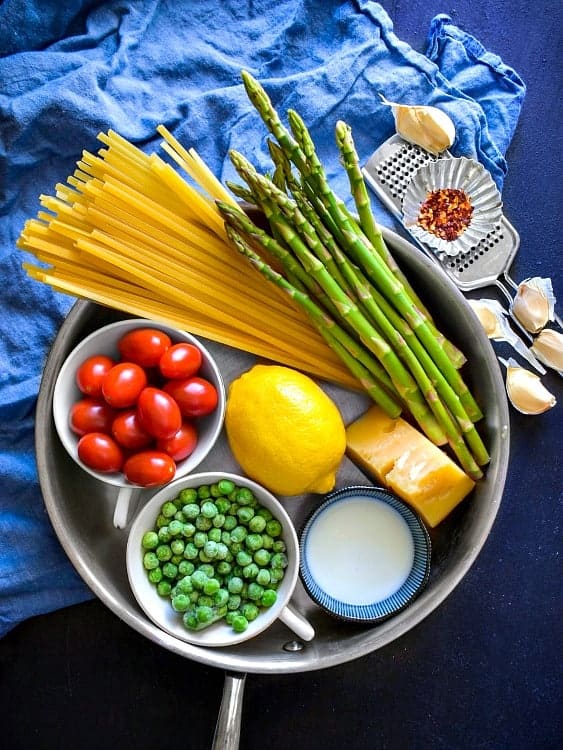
{"points": [[451, 204]]}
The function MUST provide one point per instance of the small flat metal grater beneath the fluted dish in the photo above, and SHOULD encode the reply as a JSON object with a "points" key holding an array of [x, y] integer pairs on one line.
{"points": [[388, 172]]}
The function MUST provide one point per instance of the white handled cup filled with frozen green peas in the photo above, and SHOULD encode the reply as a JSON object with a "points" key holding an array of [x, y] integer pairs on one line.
{"points": [[213, 559]]}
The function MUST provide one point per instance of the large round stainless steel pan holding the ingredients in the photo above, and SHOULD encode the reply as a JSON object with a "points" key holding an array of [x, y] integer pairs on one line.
{"points": [[81, 511]]}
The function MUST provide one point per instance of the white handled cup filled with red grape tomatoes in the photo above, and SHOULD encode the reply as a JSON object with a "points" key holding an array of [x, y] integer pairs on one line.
{"points": [[138, 403]]}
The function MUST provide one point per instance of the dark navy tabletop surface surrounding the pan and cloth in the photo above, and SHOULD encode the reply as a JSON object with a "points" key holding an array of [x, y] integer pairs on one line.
{"points": [[484, 670]]}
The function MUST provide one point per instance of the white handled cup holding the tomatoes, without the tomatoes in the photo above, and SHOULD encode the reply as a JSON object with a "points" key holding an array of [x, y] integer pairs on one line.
{"points": [[66, 393]]}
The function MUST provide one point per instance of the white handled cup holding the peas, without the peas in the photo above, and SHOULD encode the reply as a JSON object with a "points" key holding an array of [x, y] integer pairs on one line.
{"points": [[159, 609]]}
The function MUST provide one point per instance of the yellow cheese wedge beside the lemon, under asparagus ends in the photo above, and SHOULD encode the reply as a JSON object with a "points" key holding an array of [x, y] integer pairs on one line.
{"points": [[404, 460]]}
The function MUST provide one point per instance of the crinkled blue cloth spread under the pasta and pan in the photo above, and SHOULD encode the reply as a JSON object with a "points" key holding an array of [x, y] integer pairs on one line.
{"points": [[71, 69]]}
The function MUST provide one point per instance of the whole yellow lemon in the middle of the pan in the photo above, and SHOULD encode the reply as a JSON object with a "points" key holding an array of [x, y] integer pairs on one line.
{"points": [[284, 431]]}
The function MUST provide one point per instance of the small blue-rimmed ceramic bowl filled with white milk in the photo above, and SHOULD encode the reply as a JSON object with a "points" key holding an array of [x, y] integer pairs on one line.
{"points": [[364, 554]]}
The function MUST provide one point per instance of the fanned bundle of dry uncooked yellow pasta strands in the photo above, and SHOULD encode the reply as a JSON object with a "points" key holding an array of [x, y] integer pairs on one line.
{"points": [[129, 232]]}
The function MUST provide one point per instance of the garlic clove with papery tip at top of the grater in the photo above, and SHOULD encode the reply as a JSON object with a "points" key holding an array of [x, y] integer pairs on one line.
{"points": [[427, 127]]}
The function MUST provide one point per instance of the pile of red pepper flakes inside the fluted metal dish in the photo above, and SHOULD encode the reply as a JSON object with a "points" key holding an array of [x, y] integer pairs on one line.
{"points": [[446, 213]]}
